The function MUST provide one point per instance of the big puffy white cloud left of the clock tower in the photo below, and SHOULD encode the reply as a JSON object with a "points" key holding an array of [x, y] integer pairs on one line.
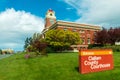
{"points": [[15, 26]]}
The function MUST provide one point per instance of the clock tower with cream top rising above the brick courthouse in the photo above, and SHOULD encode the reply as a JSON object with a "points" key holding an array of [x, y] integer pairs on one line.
{"points": [[50, 18]]}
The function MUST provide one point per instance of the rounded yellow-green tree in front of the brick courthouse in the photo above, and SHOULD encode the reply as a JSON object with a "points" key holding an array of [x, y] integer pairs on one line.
{"points": [[60, 40]]}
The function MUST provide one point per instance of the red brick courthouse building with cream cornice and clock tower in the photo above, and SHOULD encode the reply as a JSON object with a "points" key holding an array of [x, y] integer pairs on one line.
{"points": [[86, 31]]}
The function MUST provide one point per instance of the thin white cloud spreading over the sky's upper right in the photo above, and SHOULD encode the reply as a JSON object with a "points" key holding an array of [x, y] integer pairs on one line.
{"points": [[101, 12]]}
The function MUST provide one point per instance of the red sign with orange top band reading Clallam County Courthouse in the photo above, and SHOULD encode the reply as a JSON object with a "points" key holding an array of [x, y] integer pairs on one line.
{"points": [[95, 60]]}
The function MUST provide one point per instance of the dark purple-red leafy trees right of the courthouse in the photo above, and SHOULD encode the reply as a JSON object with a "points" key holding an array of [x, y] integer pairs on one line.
{"points": [[109, 36]]}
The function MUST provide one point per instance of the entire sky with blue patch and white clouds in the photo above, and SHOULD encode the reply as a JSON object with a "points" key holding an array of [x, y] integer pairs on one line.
{"points": [[21, 18]]}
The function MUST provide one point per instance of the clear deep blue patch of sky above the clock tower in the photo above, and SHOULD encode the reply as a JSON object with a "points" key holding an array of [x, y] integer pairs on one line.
{"points": [[39, 7]]}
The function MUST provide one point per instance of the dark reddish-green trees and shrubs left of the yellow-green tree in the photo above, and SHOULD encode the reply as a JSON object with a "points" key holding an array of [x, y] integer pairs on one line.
{"points": [[34, 44]]}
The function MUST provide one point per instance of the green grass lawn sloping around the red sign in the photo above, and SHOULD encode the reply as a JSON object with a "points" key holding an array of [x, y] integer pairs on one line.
{"points": [[59, 66]]}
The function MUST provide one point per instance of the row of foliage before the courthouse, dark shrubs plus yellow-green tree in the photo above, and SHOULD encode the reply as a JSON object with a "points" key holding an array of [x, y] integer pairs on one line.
{"points": [[56, 40]]}
